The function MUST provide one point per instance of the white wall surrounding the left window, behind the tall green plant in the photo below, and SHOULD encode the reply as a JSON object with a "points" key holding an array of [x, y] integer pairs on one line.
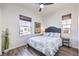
{"points": [[10, 13]]}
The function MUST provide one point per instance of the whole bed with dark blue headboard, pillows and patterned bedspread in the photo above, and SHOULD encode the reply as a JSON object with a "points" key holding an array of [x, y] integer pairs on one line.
{"points": [[48, 43]]}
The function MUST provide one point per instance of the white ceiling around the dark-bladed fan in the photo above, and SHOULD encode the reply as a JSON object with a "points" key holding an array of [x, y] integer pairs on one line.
{"points": [[47, 9]]}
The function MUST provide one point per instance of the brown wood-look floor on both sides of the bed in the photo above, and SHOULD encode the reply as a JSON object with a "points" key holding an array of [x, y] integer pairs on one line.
{"points": [[28, 51]]}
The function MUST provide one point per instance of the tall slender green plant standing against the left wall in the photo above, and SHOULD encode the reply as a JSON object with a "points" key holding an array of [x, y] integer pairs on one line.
{"points": [[5, 39]]}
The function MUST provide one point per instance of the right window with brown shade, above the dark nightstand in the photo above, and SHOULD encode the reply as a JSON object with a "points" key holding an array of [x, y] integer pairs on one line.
{"points": [[66, 24]]}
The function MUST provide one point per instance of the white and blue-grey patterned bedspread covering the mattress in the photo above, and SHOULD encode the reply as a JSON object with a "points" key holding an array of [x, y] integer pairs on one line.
{"points": [[47, 45]]}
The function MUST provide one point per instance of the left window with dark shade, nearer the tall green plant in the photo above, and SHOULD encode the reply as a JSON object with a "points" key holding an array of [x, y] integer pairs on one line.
{"points": [[25, 25]]}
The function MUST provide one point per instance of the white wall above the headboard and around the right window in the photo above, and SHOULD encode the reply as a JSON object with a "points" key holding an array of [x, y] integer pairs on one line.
{"points": [[55, 20]]}
